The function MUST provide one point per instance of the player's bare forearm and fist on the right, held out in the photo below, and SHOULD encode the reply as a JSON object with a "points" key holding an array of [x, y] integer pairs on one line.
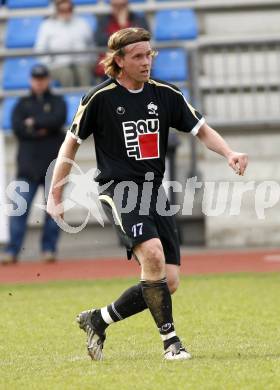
{"points": [[213, 141]]}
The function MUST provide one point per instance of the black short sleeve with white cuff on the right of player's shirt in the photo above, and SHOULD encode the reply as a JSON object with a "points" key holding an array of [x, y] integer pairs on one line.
{"points": [[184, 116]]}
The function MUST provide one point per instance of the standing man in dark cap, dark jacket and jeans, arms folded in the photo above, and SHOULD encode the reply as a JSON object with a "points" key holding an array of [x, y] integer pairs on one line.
{"points": [[37, 121]]}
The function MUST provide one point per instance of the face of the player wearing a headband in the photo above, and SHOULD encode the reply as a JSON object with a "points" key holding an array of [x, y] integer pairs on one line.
{"points": [[136, 63]]}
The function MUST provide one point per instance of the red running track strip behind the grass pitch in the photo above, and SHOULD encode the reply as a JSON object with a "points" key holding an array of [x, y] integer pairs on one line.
{"points": [[211, 262]]}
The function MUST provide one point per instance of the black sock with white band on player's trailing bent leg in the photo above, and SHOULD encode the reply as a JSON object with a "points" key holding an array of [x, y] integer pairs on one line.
{"points": [[129, 303]]}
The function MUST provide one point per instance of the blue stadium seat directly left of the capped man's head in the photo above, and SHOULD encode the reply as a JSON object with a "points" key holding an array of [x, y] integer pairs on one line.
{"points": [[16, 72]]}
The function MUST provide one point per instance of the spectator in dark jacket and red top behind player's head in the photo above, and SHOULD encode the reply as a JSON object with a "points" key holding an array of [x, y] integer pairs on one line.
{"points": [[120, 17]]}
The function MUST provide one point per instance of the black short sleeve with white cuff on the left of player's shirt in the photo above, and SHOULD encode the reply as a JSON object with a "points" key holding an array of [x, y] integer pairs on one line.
{"points": [[84, 120]]}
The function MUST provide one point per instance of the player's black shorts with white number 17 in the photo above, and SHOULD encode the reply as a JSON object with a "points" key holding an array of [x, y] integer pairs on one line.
{"points": [[137, 225]]}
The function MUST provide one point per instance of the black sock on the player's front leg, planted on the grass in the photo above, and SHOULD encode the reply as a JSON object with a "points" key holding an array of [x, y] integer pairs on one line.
{"points": [[158, 300]]}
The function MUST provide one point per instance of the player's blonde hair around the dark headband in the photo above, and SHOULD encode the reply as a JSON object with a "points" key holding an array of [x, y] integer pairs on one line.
{"points": [[116, 45]]}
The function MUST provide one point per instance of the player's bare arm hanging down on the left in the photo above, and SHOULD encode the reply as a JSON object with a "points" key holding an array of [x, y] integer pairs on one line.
{"points": [[61, 171]]}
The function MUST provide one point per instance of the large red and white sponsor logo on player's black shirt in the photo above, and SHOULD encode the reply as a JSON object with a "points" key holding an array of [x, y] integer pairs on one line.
{"points": [[142, 138]]}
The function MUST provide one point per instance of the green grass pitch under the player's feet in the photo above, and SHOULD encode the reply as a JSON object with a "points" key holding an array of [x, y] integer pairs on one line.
{"points": [[230, 323]]}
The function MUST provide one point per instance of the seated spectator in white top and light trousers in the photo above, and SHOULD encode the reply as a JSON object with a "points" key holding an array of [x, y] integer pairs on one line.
{"points": [[67, 32]]}
